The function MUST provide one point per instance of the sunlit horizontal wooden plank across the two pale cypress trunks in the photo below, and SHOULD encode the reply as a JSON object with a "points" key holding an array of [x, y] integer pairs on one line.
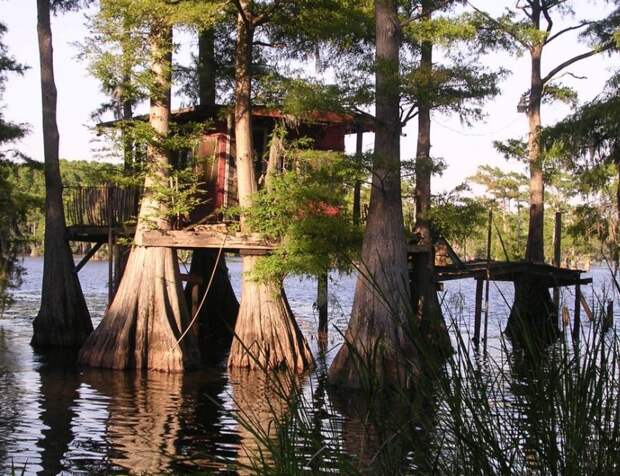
{"points": [[203, 239]]}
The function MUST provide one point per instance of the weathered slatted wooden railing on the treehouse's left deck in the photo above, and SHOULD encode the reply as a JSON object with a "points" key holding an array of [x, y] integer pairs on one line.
{"points": [[100, 206]]}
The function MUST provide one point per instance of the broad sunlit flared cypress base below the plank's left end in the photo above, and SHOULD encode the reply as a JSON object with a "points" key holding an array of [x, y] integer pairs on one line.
{"points": [[147, 316]]}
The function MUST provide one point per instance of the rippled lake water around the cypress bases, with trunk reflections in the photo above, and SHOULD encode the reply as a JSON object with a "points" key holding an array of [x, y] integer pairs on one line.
{"points": [[55, 418]]}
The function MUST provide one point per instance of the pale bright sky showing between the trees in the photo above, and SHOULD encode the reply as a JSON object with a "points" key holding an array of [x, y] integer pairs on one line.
{"points": [[462, 148]]}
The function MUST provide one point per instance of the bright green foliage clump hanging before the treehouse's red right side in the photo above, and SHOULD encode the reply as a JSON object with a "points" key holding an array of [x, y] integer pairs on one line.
{"points": [[305, 210]]}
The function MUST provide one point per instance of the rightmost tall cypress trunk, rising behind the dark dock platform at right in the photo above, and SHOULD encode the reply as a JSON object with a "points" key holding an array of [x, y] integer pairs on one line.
{"points": [[532, 318]]}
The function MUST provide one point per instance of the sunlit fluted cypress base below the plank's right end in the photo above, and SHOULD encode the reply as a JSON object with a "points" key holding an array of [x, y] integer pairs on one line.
{"points": [[266, 335]]}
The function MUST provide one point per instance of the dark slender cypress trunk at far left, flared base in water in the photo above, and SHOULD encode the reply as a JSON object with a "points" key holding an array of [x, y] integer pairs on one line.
{"points": [[63, 319]]}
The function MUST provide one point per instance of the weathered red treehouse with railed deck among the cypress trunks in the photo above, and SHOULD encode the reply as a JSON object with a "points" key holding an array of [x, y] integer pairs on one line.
{"points": [[100, 215]]}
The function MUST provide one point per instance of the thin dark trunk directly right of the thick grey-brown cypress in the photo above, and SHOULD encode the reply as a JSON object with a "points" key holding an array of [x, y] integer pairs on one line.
{"points": [[423, 287]]}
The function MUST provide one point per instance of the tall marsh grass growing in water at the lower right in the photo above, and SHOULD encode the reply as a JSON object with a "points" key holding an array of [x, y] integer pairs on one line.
{"points": [[527, 411]]}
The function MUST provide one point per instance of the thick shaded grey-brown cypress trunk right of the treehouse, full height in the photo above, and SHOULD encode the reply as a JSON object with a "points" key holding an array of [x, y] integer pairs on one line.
{"points": [[378, 337]]}
